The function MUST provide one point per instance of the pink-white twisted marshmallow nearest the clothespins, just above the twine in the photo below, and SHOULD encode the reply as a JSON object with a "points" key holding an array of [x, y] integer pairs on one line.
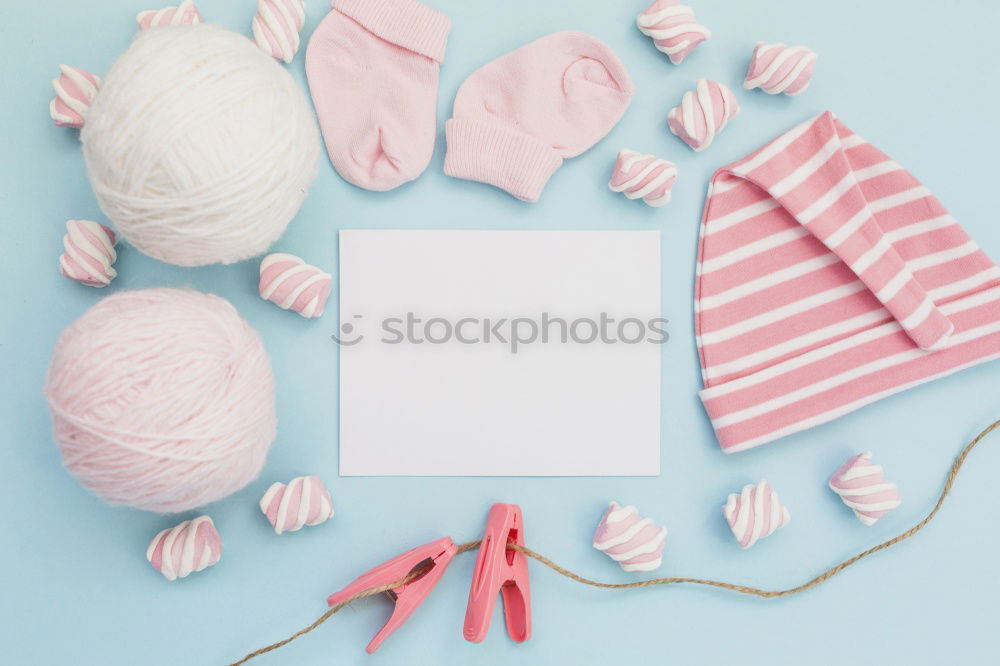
{"points": [[635, 543]]}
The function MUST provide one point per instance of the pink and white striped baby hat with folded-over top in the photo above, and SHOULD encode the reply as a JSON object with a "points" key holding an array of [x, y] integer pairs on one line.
{"points": [[829, 277]]}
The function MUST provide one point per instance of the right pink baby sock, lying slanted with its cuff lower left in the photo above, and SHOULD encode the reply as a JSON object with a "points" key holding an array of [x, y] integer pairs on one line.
{"points": [[516, 118]]}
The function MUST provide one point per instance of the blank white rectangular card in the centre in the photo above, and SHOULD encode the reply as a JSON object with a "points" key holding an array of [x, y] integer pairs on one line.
{"points": [[500, 353]]}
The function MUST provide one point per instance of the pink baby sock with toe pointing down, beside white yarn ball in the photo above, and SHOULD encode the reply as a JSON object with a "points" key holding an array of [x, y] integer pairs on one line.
{"points": [[373, 74]]}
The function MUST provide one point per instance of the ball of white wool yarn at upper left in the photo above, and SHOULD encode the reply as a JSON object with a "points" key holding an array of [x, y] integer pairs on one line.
{"points": [[200, 147]]}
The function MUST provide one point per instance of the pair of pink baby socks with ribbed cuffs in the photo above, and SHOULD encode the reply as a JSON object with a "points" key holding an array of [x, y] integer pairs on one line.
{"points": [[373, 72]]}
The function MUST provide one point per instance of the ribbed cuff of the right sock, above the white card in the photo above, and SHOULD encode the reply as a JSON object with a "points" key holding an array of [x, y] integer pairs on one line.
{"points": [[499, 155]]}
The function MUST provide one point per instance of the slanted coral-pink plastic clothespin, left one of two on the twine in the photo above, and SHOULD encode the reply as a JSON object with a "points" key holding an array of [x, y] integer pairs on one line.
{"points": [[435, 556]]}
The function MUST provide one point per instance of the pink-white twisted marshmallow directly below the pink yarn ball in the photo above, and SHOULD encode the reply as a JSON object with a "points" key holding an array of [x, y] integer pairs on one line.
{"points": [[191, 546]]}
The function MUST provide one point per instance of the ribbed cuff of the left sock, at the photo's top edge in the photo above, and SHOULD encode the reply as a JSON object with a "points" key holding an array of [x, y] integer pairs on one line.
{"points": [[407, 23]]}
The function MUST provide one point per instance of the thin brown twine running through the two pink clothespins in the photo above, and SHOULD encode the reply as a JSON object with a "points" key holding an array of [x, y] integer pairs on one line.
{"points": [[741, 589]]}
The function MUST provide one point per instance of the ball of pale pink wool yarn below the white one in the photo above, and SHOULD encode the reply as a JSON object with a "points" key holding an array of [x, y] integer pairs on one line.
{"points": [[162, 399]]}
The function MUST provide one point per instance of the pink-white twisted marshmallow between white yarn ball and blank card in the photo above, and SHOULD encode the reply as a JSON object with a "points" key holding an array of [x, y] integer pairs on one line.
{"points": [[292, 284]]}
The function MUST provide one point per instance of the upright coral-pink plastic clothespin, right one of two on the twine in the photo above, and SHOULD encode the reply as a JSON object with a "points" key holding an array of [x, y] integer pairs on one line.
{"points": [[500, 569]]}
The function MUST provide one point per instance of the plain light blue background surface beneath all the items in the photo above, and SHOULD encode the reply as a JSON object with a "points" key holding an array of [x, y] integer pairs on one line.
{"points": [[916, 78]]}
